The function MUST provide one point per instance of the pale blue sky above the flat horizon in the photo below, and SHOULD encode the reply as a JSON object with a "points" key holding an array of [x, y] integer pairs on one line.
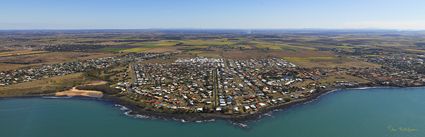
{"points": [[209, 14]]}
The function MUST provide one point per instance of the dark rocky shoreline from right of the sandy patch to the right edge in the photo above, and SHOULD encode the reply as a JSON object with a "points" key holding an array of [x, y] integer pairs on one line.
{"points": [[238, 119]]}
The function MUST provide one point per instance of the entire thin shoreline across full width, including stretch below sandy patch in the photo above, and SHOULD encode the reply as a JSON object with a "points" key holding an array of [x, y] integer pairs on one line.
{"points": [[239, 120]]}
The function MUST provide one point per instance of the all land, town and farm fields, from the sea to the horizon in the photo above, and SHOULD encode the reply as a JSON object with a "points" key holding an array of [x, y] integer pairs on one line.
{"points": [[202, 76]]}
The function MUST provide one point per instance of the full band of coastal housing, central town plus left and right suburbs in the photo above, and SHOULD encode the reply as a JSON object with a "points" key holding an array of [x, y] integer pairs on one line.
{"points": [[223, 86]]}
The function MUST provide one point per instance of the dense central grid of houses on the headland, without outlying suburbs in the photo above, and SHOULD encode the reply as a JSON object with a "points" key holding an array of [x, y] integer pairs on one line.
{"points": [[215, 85]]}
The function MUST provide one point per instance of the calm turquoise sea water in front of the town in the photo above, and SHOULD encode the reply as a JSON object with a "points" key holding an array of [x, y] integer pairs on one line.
{"points": [[380, 112]]}
